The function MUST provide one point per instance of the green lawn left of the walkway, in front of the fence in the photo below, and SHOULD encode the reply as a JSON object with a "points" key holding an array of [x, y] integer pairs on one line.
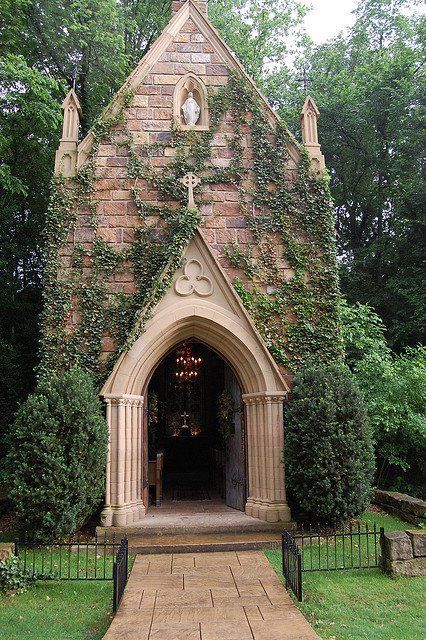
{"points": [[57, 611]]}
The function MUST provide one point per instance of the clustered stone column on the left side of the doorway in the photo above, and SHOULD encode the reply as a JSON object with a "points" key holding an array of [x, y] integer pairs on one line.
{"points": [[123, 493]]}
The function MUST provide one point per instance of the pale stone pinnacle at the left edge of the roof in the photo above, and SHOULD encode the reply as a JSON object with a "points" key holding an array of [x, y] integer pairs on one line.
{"points": [[66, 155]]}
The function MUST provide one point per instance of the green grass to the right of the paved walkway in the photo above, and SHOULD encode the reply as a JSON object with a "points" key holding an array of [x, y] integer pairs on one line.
{"points": [[363, 604]]}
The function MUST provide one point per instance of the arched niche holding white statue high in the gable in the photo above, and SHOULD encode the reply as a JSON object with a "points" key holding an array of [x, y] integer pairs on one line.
{"points": [[190, 103]]}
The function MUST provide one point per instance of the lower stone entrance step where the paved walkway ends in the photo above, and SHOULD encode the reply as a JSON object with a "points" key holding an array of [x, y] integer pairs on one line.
{"points": [[204, 542]]}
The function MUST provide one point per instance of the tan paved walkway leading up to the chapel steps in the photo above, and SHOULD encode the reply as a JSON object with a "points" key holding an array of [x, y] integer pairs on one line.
{"points": [[207, 596]]}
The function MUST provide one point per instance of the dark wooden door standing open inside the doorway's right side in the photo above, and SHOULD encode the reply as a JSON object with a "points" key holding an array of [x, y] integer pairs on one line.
{"points": [[235, 450]]}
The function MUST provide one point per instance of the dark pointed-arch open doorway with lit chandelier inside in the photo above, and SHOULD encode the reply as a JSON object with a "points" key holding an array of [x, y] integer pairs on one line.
{"points": [[195, 429]]}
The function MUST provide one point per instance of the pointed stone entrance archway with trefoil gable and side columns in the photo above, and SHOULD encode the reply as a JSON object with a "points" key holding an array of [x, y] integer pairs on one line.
{"points": [[219, 321]]}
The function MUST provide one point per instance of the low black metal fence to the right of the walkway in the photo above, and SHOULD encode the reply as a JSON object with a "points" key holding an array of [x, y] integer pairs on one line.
{"points": [[329, 549]]}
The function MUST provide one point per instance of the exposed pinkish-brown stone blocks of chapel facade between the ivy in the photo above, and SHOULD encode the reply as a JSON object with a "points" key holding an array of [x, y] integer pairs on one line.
{"points": [[149, 118]]}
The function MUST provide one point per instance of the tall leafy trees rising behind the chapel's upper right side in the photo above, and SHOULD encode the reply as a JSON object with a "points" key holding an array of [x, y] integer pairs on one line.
{"points": [[368, 85]]}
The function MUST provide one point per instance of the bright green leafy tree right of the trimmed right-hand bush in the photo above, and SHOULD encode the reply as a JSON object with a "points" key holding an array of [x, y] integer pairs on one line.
{"points": [[394, 391]]}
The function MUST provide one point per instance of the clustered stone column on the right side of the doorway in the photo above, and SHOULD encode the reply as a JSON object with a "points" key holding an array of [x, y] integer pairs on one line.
{"points": [[265, 442]]}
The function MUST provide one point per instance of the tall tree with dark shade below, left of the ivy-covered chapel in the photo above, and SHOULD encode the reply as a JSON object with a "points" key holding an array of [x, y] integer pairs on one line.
{"points": [[30, 117]]}
